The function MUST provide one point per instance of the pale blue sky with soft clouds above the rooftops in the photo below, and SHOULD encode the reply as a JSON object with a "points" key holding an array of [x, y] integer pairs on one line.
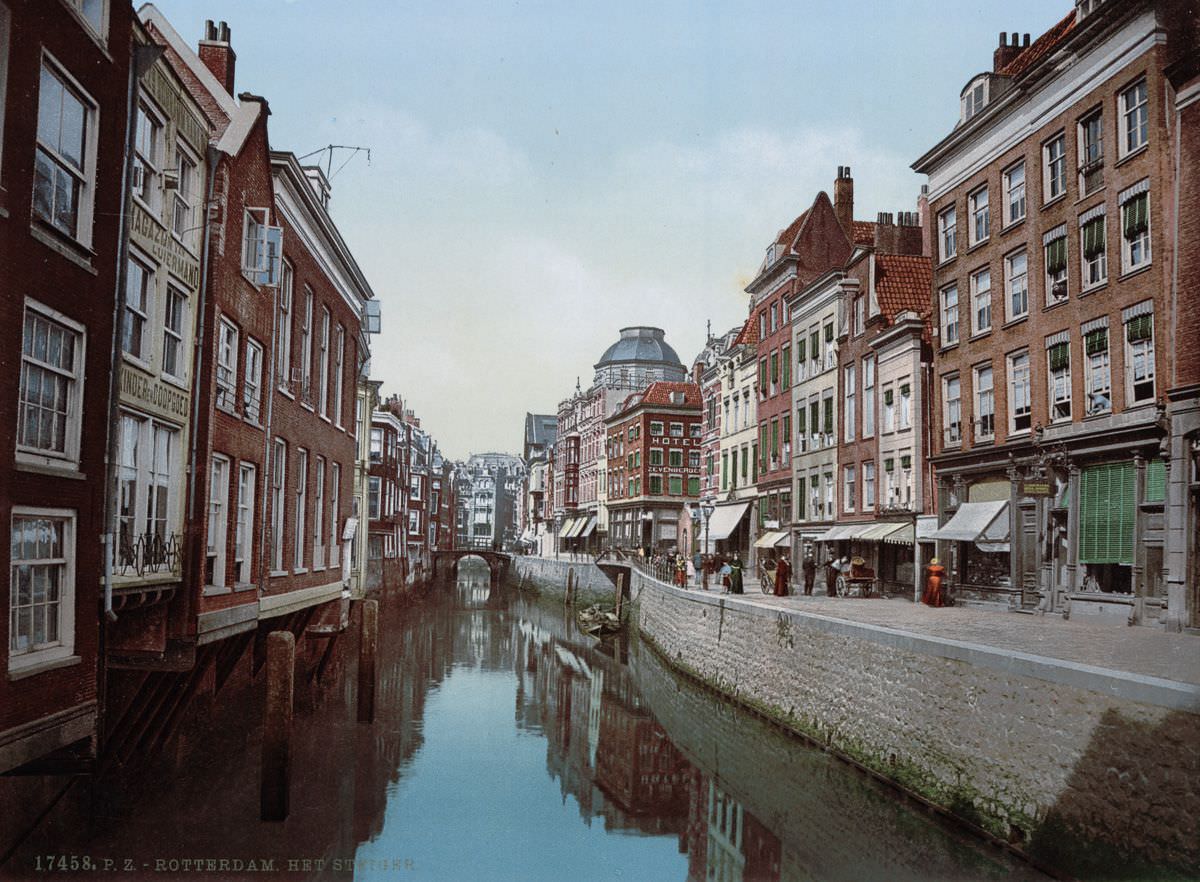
{"points": [[543, 175]]}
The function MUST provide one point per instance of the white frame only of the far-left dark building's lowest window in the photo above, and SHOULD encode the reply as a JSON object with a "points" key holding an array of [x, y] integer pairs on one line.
{"points": [[25, 659]]}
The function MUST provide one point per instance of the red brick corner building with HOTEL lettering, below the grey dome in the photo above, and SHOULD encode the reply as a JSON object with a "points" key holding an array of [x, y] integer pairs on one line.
{"points": [[655, 451]]}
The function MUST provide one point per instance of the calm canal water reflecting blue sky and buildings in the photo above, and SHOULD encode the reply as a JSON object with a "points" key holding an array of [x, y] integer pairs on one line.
{"points": [[507, 746]]}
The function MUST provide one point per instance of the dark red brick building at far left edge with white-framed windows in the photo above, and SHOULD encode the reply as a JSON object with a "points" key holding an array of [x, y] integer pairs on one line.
{"points": [[65, 86]]}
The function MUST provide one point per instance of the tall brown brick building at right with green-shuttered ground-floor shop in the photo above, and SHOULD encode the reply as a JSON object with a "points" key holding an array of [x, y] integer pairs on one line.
{"points": [[1052, 211]]}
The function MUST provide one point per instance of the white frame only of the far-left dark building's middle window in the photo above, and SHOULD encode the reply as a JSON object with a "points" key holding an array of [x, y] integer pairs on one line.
{"points": [[74, 379]]}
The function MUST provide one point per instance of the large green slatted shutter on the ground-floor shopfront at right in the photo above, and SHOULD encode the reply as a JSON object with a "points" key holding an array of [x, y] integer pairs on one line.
{"points": [[1107, 514]]}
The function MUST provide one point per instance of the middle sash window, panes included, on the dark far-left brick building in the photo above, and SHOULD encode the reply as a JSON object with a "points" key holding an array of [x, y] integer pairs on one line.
{"points": [[50, 387]]}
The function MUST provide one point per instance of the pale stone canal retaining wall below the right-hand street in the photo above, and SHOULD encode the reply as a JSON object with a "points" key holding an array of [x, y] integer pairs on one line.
{"points": [[1082, 769]]}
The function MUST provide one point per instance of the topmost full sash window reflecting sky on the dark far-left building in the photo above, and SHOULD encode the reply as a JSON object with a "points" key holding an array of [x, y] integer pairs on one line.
{"points": [[65, 159]]}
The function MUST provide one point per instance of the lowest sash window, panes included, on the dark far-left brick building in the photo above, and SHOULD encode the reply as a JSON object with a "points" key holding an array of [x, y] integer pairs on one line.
{"points": [[41, 608]]}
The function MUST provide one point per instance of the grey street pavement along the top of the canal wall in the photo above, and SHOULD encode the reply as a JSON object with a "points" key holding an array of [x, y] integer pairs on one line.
{"points": [[1143, 651]]}
